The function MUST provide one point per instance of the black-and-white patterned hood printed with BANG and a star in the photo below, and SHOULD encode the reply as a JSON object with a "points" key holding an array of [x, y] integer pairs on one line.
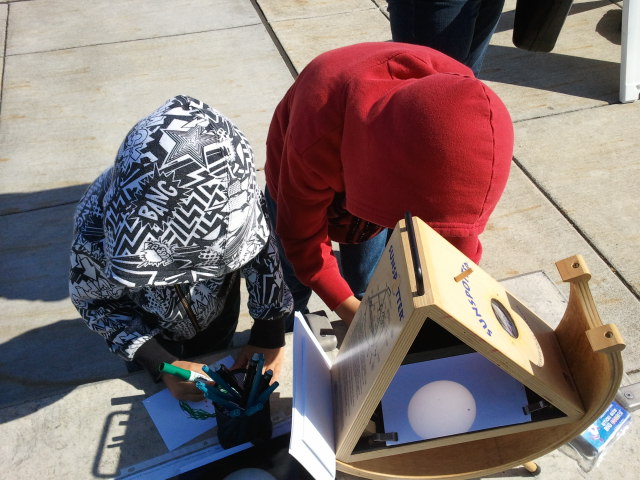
{"points": [[181, 203]]}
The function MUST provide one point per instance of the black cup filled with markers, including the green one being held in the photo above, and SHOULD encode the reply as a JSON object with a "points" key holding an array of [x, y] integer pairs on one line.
{"points": [[240, 398]]}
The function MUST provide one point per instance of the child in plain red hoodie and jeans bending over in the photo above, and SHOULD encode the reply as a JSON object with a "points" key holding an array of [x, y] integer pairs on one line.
{"points": [[366, 133]]}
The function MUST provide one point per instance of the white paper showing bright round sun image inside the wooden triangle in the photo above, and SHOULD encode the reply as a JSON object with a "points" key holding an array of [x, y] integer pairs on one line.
{"points": [[451, 396]]}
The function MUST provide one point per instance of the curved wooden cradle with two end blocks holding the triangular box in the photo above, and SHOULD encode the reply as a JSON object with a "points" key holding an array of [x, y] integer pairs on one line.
{"points": [[592, 351]]}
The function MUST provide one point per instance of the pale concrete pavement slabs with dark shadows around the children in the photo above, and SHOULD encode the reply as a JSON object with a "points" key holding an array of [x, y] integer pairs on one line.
{"points": [[76, 75]]}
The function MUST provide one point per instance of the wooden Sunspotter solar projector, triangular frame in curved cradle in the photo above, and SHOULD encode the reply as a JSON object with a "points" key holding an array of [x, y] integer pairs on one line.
{"points": [[427, 301]]}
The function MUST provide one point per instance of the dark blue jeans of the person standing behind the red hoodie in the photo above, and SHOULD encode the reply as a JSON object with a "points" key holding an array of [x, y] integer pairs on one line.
{"points": [[461, 29]]}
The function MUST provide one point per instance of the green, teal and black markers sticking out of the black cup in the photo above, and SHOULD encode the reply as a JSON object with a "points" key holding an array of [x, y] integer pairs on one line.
{"points": [[245, 399]]}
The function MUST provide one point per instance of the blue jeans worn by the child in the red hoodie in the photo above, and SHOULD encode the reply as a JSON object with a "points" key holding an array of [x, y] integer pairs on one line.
{"points": [[357, 263]]}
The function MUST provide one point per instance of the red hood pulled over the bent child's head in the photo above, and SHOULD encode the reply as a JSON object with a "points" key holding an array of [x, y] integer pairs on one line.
{"points": [[429, 138]]}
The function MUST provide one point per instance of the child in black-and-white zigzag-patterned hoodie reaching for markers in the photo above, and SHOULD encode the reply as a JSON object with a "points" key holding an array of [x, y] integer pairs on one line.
{"points": [[162, 238]]}
